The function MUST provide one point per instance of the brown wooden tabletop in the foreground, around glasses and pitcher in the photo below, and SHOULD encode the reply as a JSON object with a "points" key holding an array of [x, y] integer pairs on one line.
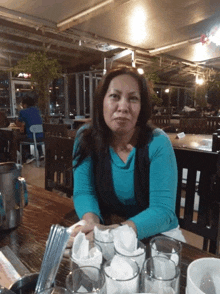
{"points": [[45, 208]]}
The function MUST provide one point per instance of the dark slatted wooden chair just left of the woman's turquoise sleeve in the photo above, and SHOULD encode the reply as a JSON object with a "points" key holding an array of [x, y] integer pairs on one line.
{"points": [[58, 164]]}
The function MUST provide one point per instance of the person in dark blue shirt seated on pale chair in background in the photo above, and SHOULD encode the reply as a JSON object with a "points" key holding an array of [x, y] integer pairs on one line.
{"points": [[28, 116]]}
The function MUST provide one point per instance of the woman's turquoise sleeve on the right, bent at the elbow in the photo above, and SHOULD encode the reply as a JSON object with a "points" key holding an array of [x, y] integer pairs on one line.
{"points": [[160, 216]]}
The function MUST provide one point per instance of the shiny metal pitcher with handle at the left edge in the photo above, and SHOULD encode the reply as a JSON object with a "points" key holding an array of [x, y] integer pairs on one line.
{"points": [[13, 195]]}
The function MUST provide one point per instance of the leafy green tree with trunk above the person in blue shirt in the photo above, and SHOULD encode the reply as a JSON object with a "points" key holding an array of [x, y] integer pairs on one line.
{"points": [[43, 70]]}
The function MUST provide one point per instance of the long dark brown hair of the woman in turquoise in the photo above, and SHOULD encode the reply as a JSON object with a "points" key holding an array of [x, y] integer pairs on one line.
{"points": [[97, 137]]}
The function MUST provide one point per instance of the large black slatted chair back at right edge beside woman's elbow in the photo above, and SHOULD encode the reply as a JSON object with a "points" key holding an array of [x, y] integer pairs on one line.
{"points": [[202, 185]]}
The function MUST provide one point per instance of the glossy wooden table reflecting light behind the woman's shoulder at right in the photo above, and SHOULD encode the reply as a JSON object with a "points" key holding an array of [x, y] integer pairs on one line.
{"points": [[192, 141]]}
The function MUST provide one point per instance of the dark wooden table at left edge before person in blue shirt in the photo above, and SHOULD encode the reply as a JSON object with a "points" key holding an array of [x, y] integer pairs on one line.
{"points": [[12, 134]]}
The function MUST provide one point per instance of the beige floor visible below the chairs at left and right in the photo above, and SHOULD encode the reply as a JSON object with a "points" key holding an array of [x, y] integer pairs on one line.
{"points": [[35, 176]]}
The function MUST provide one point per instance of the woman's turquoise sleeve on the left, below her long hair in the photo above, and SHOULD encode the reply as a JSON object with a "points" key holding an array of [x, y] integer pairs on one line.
{"points": [[84, 196]]}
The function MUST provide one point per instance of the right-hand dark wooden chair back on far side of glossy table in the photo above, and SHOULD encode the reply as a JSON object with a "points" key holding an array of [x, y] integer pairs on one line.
{"points": [[193, 125]]}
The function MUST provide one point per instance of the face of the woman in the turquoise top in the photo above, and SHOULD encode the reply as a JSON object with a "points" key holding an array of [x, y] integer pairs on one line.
{"points": [[122, 104]]}
